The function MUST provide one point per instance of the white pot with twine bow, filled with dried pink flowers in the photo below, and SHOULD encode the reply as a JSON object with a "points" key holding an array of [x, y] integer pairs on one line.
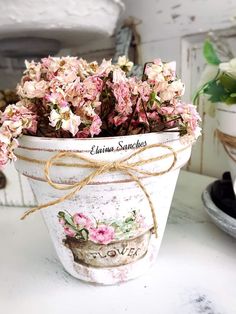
{"points": [[102, 151]]}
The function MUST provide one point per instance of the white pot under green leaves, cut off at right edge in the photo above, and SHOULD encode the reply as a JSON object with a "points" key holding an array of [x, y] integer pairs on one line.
{"points": [[226, 123]]}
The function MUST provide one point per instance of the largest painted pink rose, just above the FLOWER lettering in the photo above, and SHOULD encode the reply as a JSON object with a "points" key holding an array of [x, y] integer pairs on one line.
{"points": [[102, 234]]}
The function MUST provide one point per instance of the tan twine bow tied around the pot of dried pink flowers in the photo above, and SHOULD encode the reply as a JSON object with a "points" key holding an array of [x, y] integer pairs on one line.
{"points": [[124, 165]]}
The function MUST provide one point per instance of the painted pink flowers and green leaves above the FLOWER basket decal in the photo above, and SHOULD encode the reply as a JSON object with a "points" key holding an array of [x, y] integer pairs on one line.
{"points": [[84, 228]]}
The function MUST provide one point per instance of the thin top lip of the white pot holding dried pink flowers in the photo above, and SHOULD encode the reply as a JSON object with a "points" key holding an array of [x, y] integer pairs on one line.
{"points": [[42, 138]]}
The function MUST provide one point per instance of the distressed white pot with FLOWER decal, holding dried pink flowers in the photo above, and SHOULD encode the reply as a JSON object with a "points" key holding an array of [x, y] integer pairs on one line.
{"points": [[110, 199]]}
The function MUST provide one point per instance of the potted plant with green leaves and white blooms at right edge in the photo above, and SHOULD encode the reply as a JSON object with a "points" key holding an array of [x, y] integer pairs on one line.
{"points": [[221, 92]]}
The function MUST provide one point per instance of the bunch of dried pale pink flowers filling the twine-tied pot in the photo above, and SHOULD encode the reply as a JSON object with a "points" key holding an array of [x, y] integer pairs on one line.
{"points": [[69, 97]]}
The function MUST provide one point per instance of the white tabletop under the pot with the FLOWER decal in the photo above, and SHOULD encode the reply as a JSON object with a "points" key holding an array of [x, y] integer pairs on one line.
{"points": [[195, 271]]}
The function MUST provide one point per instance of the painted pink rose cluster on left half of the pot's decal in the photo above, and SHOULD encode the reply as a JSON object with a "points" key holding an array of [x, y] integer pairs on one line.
{"points": [[83, 228]]}
